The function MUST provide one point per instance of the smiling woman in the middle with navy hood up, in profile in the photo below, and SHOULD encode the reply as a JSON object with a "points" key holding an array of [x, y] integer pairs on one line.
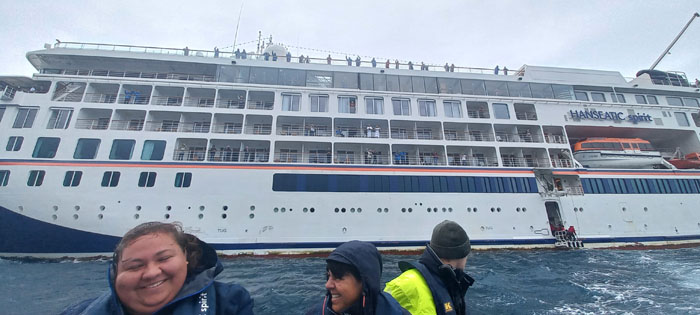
{"points": [[353, 271]]}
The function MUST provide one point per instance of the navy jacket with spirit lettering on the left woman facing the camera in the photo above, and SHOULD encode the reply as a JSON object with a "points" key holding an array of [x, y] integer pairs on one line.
{"points": [[199, 295]]}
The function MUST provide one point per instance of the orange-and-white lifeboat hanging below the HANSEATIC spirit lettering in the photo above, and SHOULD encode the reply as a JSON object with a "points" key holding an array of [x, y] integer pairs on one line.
{"points": [[626, 153]]}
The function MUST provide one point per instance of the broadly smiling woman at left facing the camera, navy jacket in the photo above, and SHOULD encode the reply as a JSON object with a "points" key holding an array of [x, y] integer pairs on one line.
{"points": [[159, 269]]}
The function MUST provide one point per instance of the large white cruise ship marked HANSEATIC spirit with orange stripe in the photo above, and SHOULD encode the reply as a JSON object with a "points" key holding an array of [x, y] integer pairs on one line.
{"points": [[269, 153]]}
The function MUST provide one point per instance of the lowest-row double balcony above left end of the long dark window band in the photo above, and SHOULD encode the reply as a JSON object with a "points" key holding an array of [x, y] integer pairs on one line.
{"points": [[302, 152]]}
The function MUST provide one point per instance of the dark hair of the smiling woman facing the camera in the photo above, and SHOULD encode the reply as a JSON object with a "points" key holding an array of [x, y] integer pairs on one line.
{"points": [[187, 242]]}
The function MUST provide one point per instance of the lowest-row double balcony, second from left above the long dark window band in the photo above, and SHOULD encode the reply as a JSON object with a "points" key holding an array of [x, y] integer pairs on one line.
{"points": [[362, 153]]}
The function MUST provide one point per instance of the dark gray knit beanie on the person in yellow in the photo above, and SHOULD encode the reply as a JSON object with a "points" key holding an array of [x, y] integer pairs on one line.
{"points": [[450, 241]]}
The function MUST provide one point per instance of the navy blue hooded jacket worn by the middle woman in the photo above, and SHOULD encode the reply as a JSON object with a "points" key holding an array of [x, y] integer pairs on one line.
{"points": [[367, 260]]}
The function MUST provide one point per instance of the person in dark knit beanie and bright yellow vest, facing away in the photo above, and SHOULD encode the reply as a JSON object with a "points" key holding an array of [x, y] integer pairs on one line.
{"points": [[436, 284]]}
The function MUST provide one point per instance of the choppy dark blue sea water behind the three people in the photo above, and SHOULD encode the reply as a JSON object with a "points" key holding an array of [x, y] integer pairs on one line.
{"points": [[508, 282]]}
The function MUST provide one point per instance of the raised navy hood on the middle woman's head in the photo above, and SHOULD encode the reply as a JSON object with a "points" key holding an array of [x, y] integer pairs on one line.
{"points": [[368, 262]]}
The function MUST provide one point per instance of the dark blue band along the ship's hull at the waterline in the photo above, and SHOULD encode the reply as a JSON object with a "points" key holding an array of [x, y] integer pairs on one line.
{"points": [[21, 234]]}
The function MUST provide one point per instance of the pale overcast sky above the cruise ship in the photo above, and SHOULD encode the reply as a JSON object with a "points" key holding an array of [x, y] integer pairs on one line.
{"points": [[624, 36]]}
